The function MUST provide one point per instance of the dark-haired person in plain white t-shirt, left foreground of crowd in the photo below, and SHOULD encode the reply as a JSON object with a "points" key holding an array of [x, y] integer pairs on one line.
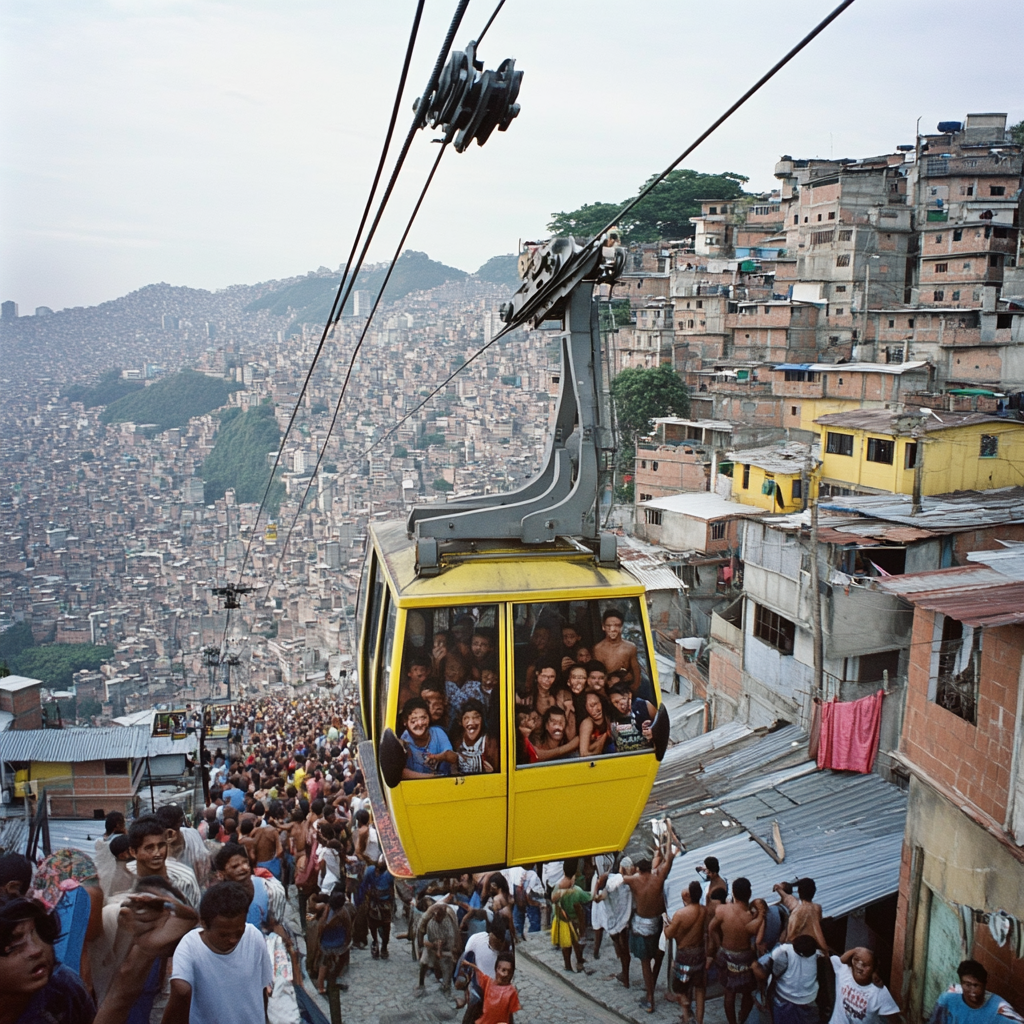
{"points": [[223, 974]]}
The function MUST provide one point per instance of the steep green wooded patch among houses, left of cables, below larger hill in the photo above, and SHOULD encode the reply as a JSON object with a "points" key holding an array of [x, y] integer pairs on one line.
{"points": [[239, 459]]}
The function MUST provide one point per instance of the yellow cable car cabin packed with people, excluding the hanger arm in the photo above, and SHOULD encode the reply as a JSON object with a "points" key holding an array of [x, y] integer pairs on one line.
{"points": [[511, 703]]}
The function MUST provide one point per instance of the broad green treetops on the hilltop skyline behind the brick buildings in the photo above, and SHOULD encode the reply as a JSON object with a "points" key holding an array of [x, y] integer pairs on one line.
{"points": [[664, 215]]}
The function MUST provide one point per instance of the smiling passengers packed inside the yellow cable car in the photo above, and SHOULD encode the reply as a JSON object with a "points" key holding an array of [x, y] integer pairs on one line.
{"points": [[572, 701]]}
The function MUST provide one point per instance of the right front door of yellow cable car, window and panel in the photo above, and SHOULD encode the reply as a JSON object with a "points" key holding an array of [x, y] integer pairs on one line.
{"points": [[572, 804]]}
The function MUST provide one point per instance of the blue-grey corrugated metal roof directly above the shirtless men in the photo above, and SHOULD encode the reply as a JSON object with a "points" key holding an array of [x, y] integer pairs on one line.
{"points": [[846, 832]]}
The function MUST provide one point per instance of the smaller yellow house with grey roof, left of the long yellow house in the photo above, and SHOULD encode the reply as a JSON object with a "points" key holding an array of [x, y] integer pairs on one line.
{"points": [[775, 478]]}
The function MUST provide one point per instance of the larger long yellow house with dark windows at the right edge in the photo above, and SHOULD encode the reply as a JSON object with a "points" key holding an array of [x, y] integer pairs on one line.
{"points": [[876, 451]]}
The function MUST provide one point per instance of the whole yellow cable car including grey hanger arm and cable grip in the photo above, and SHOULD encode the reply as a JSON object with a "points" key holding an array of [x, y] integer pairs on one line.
{"points": [[508, 684]]}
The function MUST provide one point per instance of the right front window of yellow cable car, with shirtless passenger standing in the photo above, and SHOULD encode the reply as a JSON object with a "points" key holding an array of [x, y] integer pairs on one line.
{"points": [[584, 686]]}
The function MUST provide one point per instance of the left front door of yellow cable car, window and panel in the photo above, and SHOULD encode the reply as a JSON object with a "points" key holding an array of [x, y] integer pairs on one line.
{"points": [[448, 708]]}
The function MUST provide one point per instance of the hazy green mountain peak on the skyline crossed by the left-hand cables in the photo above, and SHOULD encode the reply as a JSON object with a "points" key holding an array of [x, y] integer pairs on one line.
{"points": [[311, 300]]}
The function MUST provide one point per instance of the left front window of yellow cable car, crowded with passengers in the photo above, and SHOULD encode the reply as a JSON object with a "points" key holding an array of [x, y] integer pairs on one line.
{"points": [[450, 702]]}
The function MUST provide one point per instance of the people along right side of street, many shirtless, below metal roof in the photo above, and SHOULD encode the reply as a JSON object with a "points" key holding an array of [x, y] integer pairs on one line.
{"points": [[774, 955]]}
